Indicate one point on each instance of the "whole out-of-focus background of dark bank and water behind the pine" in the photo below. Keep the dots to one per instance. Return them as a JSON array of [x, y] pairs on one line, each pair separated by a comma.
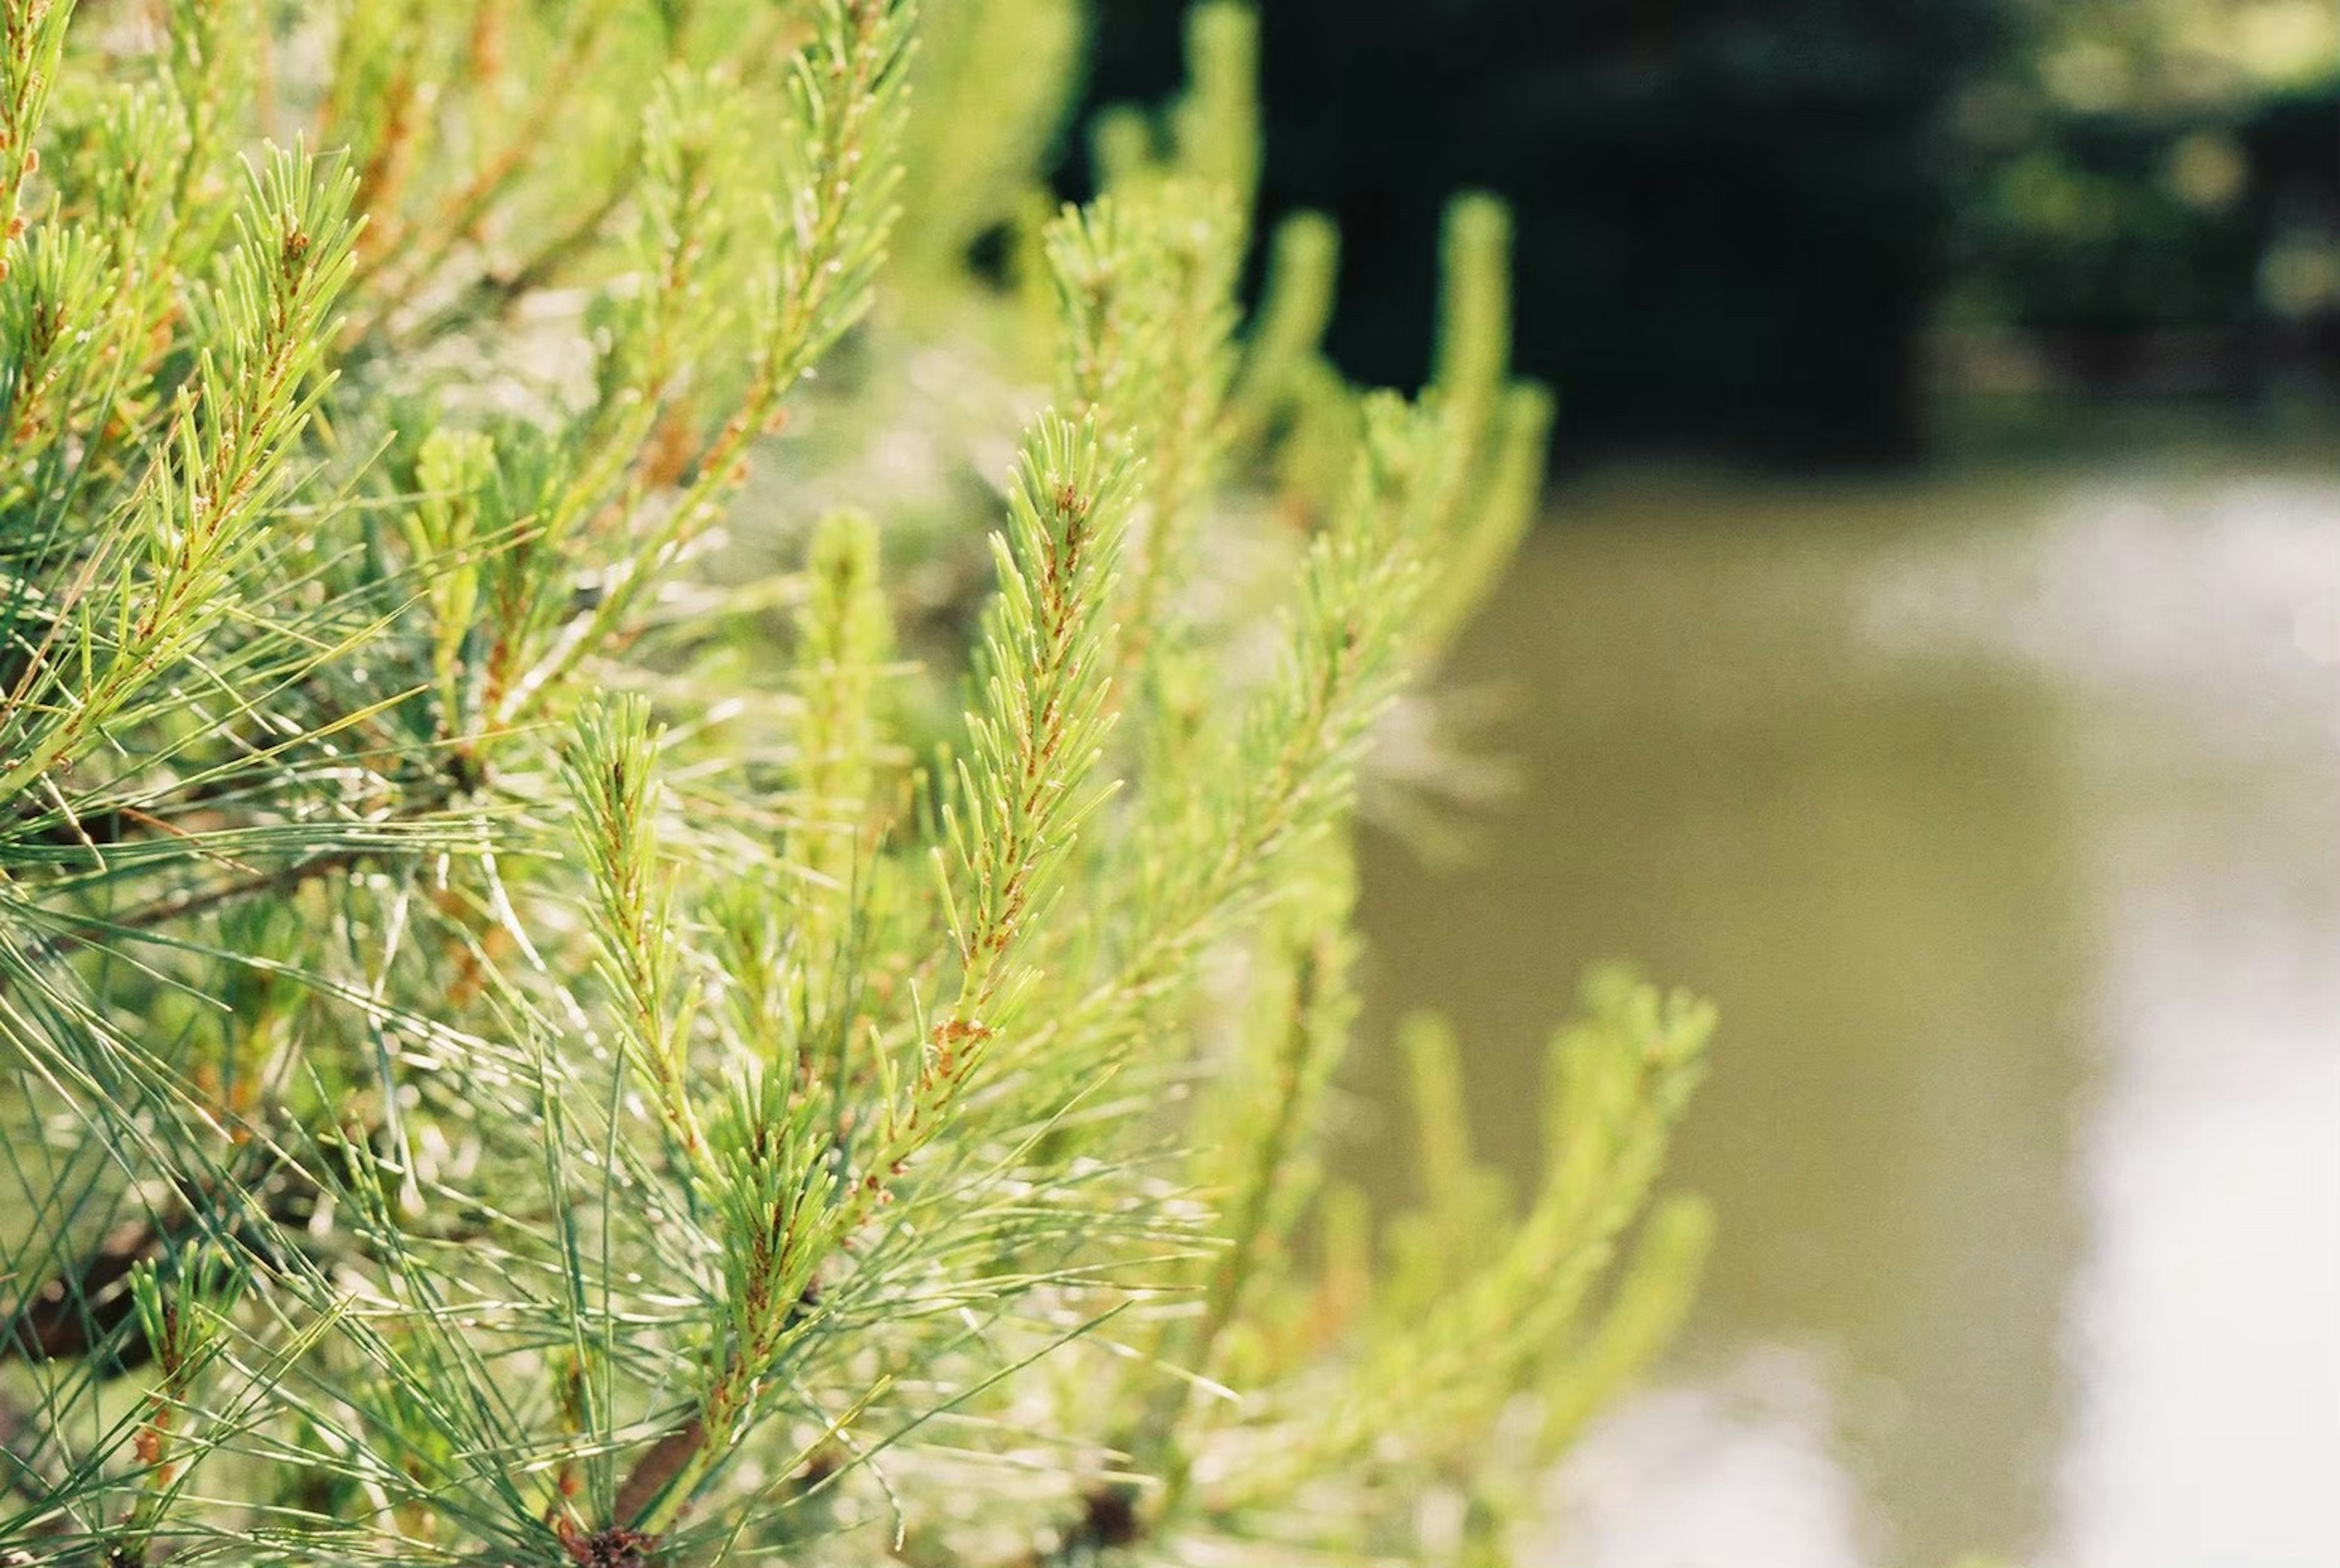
[[1932, 654]]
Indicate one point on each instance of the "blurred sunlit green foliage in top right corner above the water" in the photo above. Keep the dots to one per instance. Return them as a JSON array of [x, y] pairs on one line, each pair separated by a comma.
[[2152, 167]]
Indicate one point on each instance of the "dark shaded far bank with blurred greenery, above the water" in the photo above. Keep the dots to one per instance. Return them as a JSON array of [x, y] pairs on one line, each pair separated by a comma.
[[1742, 226]]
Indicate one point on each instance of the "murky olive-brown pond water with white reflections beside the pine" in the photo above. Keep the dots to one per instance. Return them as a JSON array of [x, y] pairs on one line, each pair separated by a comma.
[[2002, 818]]
